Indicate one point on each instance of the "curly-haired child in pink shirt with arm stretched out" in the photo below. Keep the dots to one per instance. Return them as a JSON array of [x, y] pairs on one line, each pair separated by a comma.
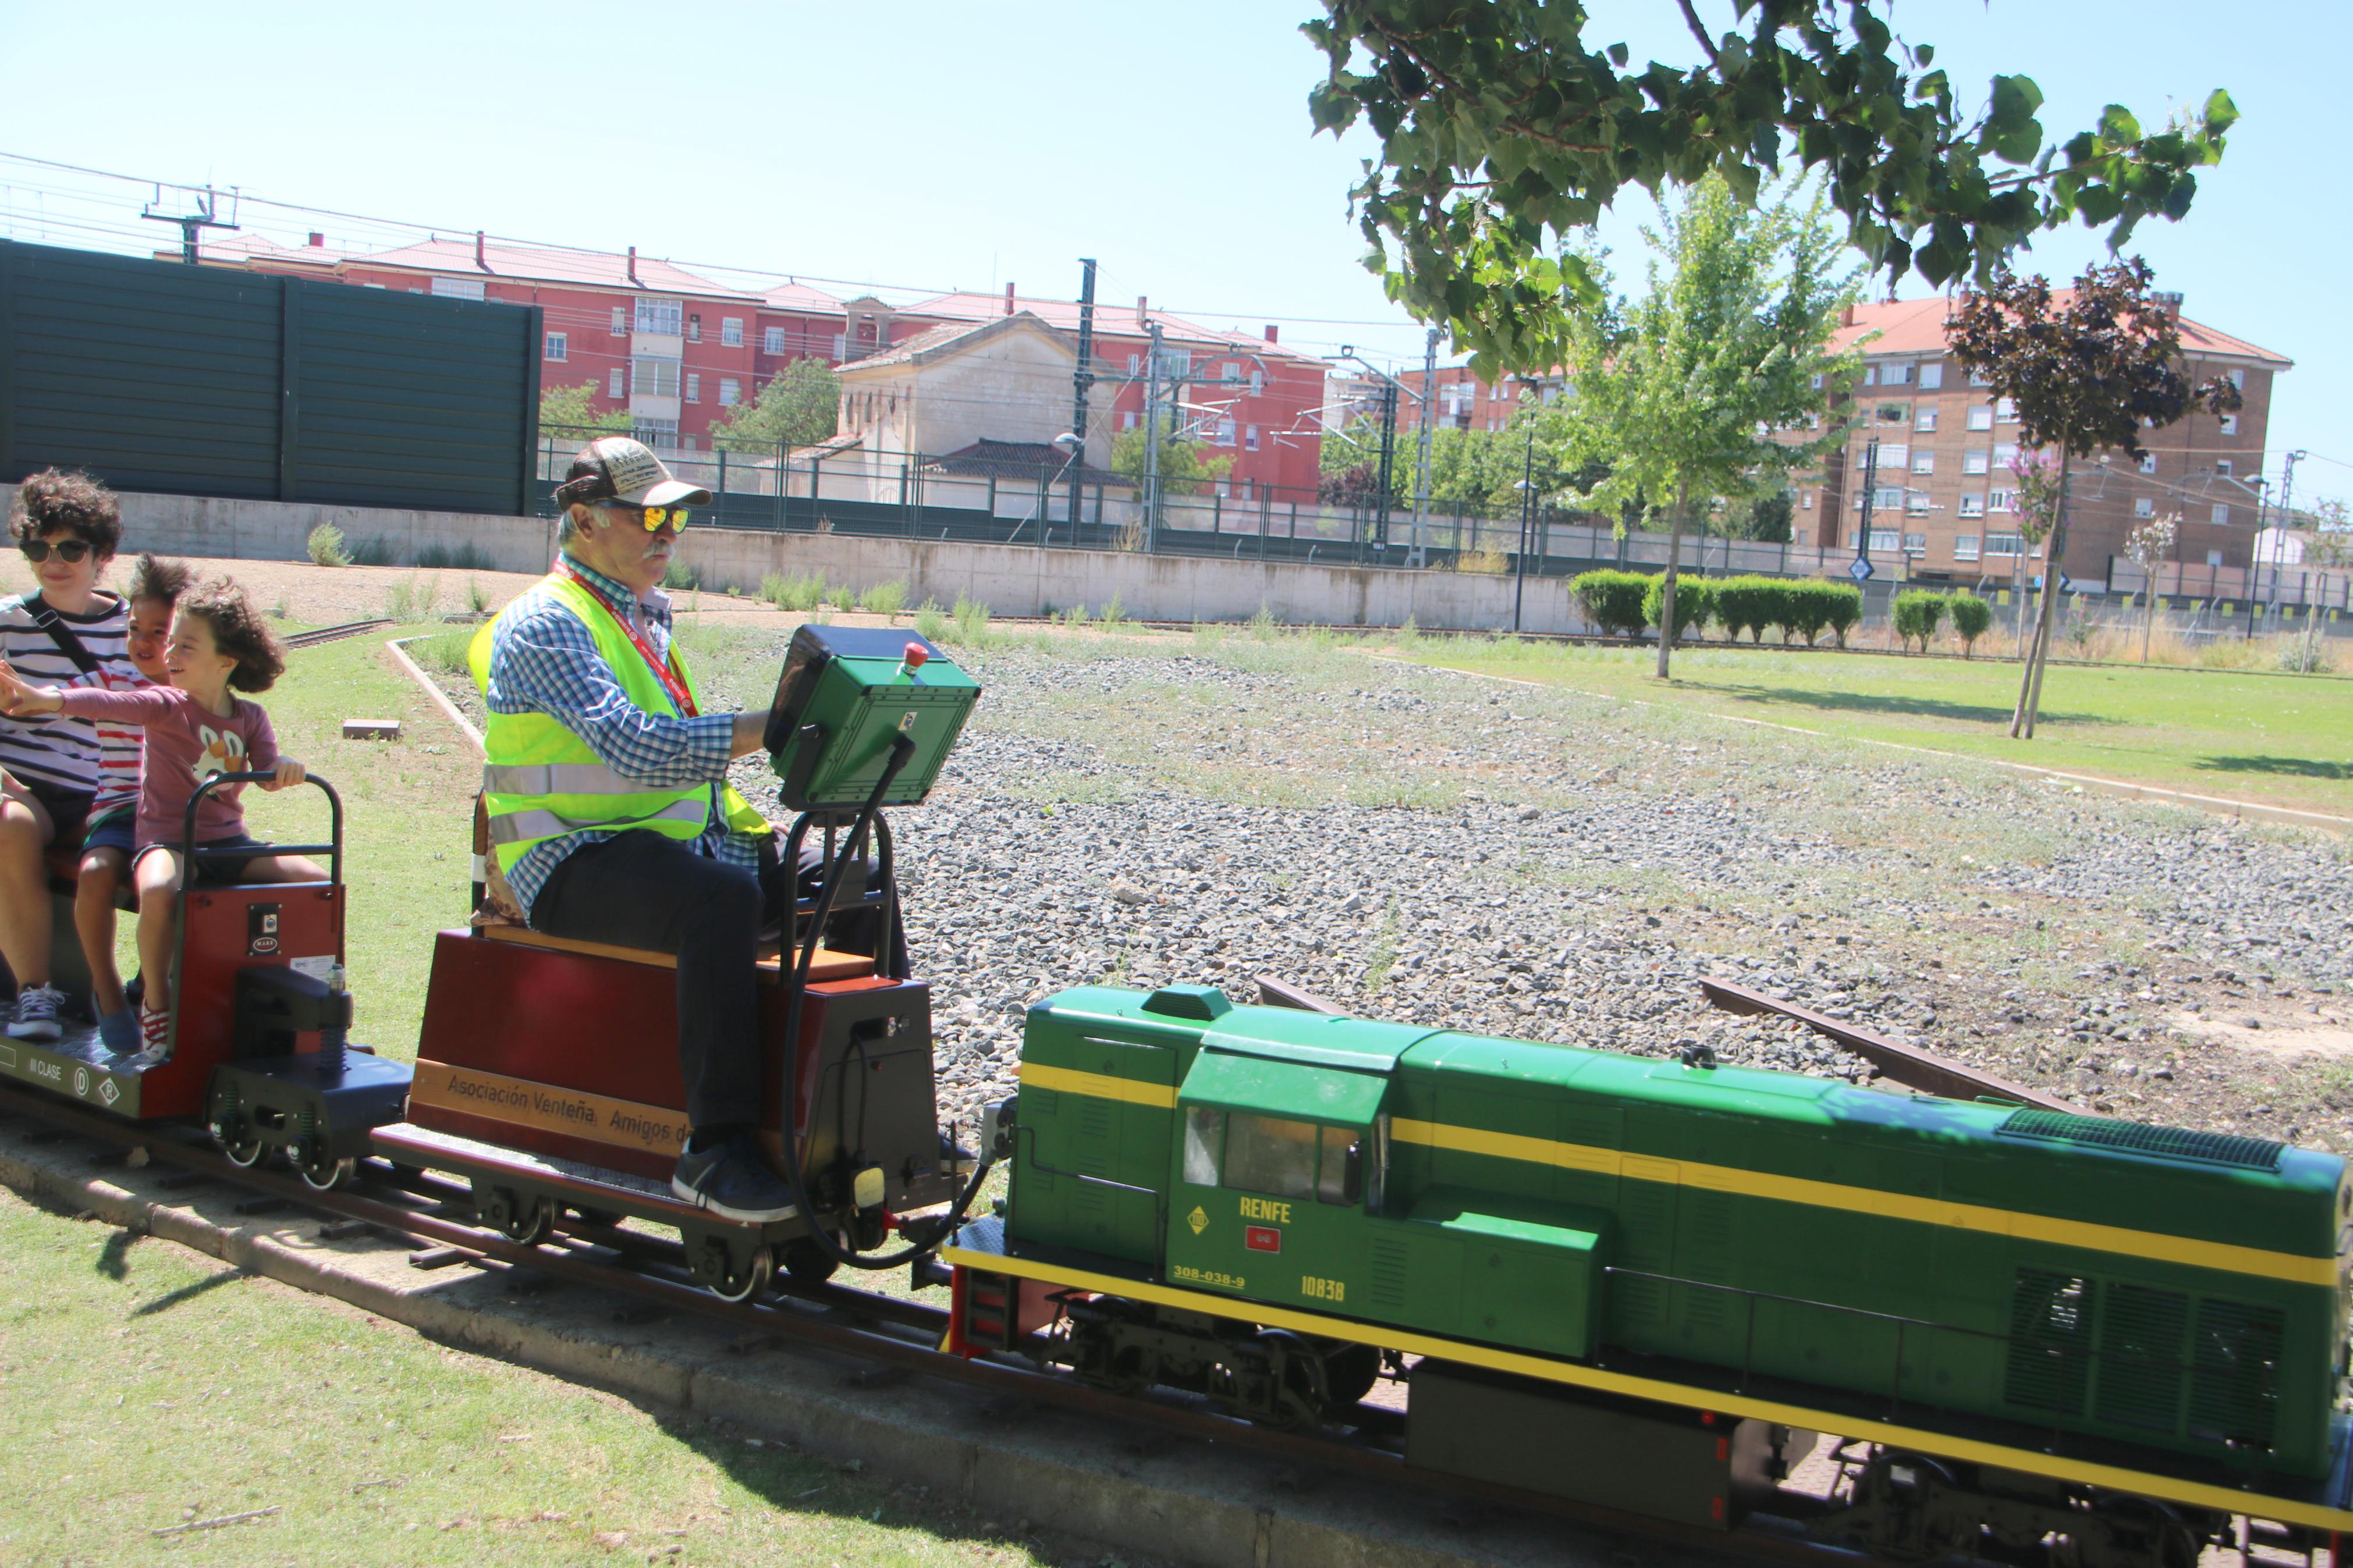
[[194, 730]]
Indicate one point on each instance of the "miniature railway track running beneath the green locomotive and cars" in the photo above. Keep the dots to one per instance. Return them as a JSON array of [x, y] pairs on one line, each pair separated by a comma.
[[851, 1322]]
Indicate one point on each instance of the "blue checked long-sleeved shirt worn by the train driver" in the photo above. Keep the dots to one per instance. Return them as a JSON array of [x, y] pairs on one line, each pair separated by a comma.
[[542, 659]]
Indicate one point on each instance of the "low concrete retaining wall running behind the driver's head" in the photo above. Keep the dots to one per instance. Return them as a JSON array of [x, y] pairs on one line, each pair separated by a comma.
[[1008, 579]]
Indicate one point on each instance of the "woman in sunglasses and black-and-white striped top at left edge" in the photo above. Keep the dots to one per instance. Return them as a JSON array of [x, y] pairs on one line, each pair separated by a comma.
[[67, 525]]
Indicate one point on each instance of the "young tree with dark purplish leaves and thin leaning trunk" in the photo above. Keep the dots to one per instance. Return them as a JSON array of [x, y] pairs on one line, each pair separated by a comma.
[[2086, 377]]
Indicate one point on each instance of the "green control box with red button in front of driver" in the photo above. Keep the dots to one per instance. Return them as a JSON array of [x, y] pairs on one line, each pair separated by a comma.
[[846, 699]]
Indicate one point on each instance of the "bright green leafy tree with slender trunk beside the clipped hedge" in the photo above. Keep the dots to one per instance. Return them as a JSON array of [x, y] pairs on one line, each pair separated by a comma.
[[1705, 387]]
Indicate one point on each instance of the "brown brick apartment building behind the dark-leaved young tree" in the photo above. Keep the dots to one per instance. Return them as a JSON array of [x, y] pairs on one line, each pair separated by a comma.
[[1945, 497]]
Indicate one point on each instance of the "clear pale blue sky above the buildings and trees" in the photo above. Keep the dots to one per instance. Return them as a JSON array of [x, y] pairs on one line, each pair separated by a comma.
[[954, 147]]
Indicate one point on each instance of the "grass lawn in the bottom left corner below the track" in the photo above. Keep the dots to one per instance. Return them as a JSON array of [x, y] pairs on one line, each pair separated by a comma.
[[152, 1388]]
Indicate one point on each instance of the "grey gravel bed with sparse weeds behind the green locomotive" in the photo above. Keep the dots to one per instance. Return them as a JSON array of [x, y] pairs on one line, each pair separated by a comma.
[[1552, 866]]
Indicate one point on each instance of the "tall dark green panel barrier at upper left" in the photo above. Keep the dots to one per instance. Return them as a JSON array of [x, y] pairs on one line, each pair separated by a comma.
[[215, 382]]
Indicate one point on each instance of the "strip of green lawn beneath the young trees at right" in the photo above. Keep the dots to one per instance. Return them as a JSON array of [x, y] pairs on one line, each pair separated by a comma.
[[2272, 739]]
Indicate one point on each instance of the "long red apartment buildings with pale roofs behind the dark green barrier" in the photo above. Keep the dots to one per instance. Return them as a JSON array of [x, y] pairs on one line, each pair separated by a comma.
[[674, 349]]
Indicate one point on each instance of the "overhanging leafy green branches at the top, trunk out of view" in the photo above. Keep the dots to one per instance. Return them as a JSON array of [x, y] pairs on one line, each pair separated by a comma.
[[1507, 130]]
